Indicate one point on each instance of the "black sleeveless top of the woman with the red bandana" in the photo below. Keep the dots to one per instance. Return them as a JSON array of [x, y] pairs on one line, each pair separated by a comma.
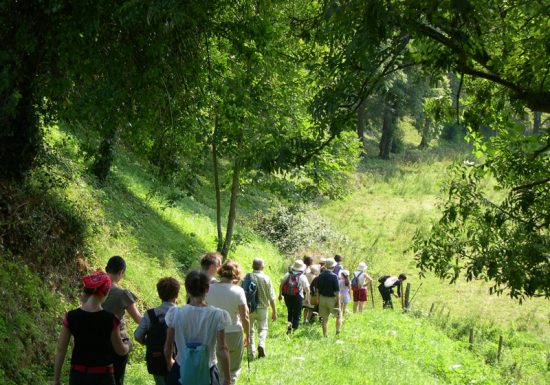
[[92, 336]]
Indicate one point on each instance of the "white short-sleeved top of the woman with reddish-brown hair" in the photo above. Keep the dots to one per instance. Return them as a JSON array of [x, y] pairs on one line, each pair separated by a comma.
[[228, 297]]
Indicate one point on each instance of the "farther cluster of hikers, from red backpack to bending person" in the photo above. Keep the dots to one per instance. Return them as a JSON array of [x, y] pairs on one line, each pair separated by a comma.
[[325, 289]]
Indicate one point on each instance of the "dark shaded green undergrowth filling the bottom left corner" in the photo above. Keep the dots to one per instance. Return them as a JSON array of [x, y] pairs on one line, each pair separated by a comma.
[[29, 321]]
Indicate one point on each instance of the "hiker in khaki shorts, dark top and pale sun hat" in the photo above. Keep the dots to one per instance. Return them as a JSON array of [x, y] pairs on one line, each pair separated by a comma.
[[329, 295]]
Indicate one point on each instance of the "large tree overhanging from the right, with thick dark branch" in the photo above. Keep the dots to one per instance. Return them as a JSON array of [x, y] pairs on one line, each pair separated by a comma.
[[499, 52]]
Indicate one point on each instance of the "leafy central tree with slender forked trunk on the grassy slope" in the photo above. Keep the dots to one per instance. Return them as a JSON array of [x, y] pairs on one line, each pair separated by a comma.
[[261, 90]]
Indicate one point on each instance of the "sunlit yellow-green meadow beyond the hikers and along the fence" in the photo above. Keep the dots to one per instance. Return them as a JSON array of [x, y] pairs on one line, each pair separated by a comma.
[[390, 202]]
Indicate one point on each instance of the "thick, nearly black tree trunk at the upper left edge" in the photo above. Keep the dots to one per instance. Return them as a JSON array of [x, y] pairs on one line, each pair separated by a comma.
[[20, 134]]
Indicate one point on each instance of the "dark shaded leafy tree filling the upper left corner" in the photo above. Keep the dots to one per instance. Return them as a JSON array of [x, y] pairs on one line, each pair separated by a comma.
[[116, 68]]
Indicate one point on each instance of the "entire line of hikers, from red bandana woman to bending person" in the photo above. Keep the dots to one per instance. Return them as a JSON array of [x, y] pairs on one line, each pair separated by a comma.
[[204, 341]]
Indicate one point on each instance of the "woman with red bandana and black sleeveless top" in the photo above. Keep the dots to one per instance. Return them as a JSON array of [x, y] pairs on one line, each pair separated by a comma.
[[96, 333]]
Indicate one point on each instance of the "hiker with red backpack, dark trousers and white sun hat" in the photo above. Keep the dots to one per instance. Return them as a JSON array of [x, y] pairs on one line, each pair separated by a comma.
[[295, 289]]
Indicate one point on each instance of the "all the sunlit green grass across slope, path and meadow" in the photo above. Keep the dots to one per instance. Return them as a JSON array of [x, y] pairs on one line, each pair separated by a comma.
[[134, 215]]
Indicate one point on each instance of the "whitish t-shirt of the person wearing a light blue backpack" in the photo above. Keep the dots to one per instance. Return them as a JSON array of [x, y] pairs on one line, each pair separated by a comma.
[[196, 324]]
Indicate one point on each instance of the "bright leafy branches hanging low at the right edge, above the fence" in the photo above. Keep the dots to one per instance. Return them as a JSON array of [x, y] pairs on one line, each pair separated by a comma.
[[505, 240]]
